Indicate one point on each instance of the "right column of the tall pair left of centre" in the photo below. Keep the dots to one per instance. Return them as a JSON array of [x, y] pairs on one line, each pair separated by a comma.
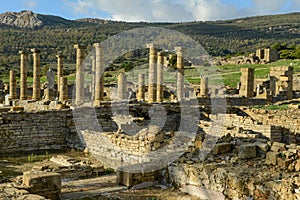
[[99, 78]]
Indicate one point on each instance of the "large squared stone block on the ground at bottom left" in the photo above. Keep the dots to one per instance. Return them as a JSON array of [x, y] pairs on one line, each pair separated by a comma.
[[46, 184]]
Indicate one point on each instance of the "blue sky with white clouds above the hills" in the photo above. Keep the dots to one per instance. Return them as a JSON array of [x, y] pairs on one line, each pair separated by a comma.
[[153, 10]]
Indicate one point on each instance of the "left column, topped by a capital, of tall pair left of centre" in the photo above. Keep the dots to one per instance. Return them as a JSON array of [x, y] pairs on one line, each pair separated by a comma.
[[79, 95]]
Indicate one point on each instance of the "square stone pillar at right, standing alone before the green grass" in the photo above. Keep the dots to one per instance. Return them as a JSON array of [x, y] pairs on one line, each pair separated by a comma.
[[247, 82]]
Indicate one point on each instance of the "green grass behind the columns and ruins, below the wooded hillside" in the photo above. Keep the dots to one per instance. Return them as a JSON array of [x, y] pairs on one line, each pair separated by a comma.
[[227, 75]]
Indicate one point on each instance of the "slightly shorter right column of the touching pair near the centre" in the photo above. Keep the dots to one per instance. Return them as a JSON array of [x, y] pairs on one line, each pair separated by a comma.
[[160, 75]]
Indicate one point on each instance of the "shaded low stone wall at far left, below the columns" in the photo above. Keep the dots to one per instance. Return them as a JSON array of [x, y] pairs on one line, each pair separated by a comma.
[[20, 131]]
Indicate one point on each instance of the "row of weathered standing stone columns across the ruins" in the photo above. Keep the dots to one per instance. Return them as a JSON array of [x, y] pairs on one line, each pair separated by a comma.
[[155, 84]]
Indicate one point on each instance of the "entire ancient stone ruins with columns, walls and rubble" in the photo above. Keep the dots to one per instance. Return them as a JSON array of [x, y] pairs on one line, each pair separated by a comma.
[[199, 138]]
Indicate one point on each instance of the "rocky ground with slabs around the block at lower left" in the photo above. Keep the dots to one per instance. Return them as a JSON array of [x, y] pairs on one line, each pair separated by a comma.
[[82, 178]]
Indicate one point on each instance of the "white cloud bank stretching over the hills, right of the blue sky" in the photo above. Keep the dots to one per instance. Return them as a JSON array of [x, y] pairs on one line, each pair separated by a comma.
[[177, 10]]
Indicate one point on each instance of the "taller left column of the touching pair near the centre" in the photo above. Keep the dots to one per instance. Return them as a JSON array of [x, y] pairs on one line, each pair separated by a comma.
[[152, 73]]
